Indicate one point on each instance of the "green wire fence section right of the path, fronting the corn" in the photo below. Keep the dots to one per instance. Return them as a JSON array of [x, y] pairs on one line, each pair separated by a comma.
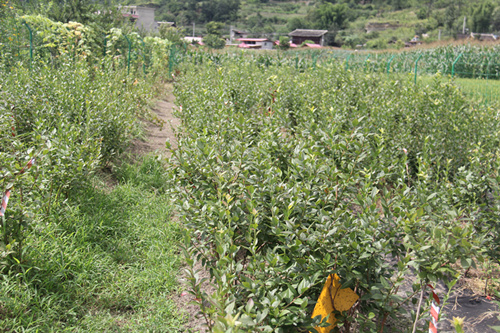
[[475, 69]]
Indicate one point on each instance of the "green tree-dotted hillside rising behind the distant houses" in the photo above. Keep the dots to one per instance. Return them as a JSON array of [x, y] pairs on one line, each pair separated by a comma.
[[348, 21]]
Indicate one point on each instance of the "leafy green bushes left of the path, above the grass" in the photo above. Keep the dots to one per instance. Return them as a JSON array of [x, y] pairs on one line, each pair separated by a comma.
[[72, 120]]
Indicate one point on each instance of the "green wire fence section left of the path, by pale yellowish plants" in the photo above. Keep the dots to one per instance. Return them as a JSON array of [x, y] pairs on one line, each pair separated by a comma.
[[24, 44]]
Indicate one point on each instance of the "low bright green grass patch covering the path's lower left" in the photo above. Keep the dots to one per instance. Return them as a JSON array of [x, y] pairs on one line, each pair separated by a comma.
[[103, 261]]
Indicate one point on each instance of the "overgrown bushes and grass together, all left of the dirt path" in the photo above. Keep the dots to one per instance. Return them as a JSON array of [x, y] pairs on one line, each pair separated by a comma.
[[77, 253]]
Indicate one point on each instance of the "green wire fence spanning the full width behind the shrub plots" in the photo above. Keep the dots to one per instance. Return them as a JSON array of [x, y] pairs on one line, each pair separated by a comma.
[[475, 69]]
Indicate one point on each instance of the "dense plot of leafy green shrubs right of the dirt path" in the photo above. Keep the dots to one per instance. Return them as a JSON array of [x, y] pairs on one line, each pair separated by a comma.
[[287, 177]]
